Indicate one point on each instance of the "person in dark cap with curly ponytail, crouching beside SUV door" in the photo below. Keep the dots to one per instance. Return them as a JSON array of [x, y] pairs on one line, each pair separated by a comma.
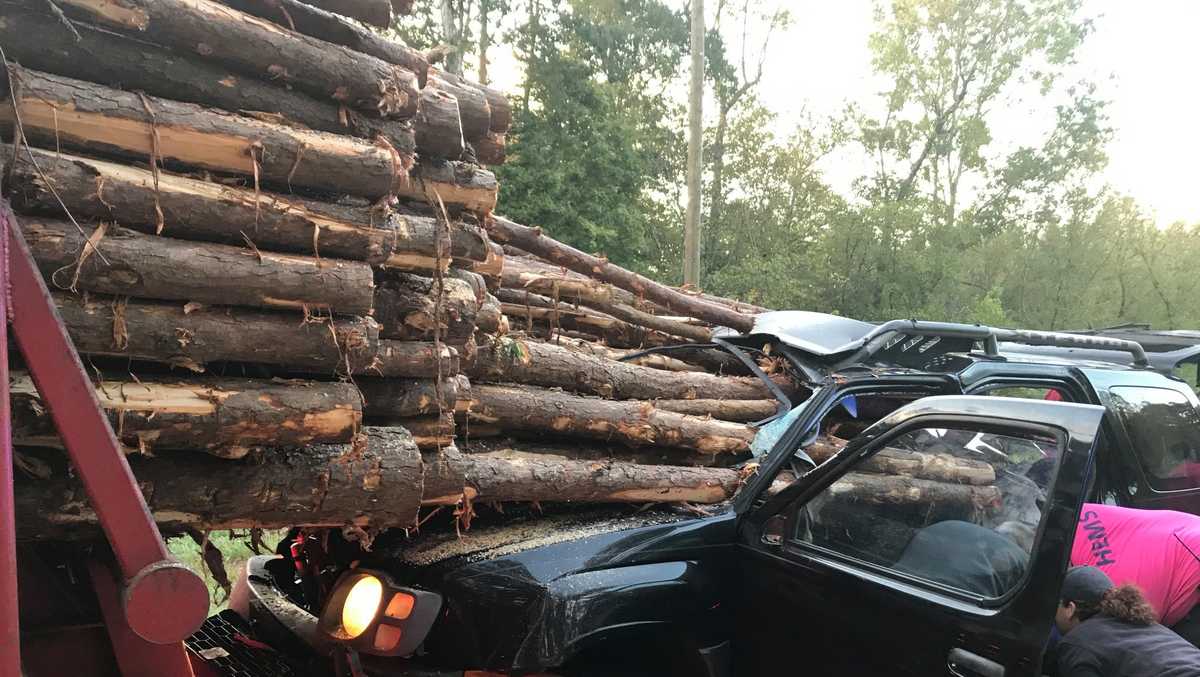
[[1111, 632]]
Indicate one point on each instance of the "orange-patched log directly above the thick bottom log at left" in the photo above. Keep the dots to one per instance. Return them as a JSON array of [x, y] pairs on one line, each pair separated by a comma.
[[224, 417]]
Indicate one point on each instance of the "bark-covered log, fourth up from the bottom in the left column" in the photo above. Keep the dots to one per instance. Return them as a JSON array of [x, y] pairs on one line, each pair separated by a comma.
[[163, 268]]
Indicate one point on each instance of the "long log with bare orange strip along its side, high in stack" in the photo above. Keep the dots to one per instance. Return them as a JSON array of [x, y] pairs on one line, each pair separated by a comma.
[[85, 116]]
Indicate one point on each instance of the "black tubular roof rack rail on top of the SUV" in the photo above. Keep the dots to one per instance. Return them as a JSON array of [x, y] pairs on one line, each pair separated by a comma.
[[878, 339]]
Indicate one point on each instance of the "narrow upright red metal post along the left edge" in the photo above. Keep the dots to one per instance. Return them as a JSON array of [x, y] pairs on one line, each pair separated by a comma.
[[10, 619]]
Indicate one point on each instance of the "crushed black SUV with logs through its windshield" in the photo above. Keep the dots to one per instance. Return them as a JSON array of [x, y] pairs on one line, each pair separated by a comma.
[[817, 566]]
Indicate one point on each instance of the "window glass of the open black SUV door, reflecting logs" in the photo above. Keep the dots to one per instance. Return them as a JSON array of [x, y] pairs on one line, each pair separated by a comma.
[[956, 507]]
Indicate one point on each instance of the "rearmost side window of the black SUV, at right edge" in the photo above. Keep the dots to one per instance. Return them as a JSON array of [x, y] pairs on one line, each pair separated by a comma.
[[1165, 429]]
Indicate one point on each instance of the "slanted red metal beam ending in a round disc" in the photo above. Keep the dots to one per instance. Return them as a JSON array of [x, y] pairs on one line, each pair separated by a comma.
[[163, 601]]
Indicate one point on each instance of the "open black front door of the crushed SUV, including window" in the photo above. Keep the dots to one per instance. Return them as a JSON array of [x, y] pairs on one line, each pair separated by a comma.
[[899, 556]]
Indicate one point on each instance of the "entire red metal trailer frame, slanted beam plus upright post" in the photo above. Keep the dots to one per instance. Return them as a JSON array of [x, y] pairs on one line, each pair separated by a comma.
[[152, 603]]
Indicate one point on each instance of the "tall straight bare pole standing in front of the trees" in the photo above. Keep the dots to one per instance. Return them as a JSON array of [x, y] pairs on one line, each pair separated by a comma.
[[695, 163]]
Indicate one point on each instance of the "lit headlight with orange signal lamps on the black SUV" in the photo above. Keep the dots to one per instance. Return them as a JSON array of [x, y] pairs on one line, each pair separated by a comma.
[[371, 614]]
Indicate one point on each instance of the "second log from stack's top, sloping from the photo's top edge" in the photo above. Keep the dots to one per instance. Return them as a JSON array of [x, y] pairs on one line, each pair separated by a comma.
[[323, 23]]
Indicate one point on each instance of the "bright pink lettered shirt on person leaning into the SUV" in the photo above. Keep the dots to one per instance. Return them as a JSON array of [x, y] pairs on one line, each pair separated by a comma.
[[1156, 550]]
